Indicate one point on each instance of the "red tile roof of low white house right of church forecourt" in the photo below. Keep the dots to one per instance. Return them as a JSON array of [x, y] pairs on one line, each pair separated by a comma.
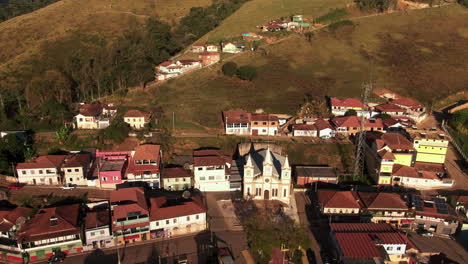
[[339, 199]]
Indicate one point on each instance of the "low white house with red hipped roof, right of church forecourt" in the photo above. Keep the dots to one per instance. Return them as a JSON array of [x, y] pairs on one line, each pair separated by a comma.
[[339, 204]]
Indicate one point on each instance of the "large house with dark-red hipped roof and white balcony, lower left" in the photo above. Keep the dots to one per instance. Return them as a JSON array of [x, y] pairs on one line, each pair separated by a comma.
[[51, 229]]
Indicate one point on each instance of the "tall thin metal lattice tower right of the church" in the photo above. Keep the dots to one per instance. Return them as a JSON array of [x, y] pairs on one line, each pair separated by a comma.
[[361, 136]]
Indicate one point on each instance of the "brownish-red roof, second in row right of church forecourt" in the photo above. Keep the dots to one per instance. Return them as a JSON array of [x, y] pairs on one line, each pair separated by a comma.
[[382, 201]]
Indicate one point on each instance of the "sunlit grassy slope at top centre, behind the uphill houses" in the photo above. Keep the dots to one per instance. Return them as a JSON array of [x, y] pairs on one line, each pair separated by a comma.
[[258, 12]]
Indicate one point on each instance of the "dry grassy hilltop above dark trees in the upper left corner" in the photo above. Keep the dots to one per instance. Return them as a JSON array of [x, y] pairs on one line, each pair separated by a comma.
[[21, 36]]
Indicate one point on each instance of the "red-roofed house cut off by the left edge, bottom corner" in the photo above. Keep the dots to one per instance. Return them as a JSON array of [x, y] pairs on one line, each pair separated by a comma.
[[11, 221]]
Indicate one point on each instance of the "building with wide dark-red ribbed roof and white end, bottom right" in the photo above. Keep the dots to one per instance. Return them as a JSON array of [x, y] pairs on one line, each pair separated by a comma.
[[368, 243]]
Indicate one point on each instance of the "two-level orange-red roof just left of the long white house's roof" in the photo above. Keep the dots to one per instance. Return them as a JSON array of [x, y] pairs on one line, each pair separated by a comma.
[[135, 195]]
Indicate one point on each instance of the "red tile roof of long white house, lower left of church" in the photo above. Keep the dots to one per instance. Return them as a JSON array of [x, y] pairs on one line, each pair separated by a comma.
[[160, 210]]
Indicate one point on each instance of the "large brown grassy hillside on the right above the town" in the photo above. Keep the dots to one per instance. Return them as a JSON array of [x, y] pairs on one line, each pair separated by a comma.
[[419, 54]]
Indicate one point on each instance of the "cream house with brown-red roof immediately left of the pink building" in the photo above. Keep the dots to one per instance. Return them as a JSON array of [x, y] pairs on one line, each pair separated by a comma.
[[76, 168]]
